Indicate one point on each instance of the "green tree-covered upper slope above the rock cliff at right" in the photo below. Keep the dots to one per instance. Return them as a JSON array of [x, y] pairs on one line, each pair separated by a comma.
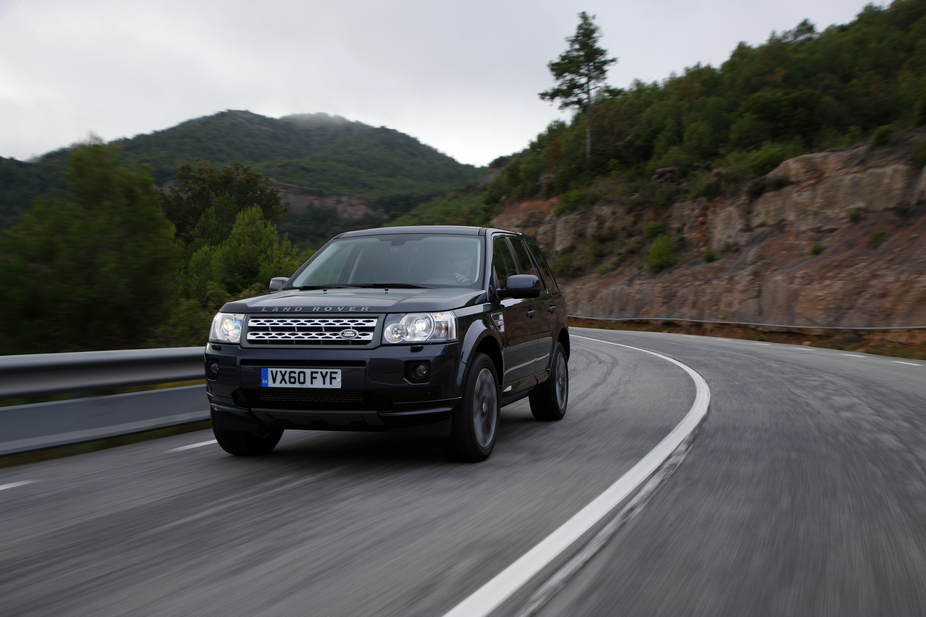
[[802, 91]]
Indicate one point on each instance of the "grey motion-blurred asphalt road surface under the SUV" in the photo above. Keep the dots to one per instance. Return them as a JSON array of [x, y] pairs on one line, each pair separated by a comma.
[[803, 493]]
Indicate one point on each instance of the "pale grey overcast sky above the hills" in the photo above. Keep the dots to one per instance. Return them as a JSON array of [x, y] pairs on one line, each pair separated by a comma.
[[461, 76]]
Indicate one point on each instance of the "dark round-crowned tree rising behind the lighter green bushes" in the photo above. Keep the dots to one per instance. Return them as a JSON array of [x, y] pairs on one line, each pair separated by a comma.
[[201, 187]]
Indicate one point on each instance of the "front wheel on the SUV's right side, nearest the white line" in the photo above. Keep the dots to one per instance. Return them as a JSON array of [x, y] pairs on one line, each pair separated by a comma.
[[475, 423]]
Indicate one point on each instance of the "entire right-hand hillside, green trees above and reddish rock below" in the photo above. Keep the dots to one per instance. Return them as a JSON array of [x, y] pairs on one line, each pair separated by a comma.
[[785, 186]]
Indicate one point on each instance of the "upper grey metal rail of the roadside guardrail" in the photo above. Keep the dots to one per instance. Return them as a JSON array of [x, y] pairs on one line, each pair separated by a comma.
[[40, 374]]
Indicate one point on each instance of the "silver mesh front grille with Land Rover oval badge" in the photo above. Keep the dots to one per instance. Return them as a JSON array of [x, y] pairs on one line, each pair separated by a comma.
[[312, 331]]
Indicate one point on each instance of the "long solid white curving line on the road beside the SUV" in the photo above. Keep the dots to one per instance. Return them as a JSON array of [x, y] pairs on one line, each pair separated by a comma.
[[488, 597]]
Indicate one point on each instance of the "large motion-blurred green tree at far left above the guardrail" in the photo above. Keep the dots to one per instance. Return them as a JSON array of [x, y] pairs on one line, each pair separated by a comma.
[[95, 271]]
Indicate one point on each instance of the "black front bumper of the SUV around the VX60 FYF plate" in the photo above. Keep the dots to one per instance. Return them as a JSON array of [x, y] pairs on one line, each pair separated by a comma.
[[377, 390]]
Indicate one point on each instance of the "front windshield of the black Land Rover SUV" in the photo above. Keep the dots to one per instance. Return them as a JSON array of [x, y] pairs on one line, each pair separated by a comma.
[[406, 260]]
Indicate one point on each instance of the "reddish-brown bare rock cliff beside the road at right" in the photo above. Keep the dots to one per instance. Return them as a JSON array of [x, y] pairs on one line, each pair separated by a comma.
[[835, 239]]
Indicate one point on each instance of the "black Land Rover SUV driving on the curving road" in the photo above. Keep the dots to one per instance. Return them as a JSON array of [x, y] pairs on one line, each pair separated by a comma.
[[415, 330]]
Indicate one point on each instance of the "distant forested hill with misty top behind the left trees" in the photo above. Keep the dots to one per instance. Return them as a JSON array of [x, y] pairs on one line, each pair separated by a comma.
[[313, 154]]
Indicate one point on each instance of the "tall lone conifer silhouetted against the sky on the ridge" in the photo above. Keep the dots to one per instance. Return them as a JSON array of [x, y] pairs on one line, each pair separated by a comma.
[[580, 72]]
